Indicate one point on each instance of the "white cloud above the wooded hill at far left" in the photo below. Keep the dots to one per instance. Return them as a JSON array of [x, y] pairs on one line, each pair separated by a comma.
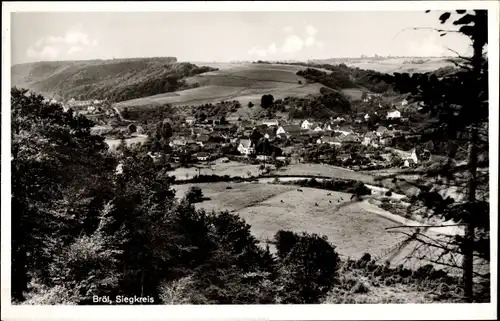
[[74, 41]]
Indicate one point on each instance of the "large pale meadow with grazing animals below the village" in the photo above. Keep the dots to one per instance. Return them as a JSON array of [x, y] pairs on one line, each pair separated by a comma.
[[269, 208]]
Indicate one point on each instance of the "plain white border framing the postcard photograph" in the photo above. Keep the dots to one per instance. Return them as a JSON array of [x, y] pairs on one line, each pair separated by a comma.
[[271, 312]]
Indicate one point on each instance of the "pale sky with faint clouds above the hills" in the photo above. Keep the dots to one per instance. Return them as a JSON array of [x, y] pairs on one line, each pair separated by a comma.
[[228, 36]]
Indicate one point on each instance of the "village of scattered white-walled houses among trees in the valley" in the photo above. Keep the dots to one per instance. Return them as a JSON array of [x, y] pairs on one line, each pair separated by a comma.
[[356, 140]]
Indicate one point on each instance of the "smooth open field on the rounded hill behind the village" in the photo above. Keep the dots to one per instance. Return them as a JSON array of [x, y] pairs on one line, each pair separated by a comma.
[[245, 83]]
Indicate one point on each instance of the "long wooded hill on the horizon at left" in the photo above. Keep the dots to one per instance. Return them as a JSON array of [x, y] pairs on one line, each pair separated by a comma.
[[114, 80]]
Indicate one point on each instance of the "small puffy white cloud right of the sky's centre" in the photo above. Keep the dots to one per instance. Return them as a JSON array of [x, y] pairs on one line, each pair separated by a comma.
[[292, 44]]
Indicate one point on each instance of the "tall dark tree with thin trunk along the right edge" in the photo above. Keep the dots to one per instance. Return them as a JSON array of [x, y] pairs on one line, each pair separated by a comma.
[[459, 103]]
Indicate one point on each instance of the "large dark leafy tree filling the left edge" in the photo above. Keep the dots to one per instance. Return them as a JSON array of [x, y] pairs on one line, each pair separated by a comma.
[[59, 182]]
